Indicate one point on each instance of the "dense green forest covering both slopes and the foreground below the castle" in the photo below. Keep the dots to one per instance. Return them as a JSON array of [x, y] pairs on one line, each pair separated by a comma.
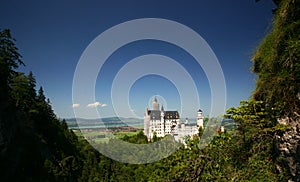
[[36, 146]]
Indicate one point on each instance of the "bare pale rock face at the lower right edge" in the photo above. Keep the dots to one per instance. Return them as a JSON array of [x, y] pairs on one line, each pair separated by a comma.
[[289, 146]]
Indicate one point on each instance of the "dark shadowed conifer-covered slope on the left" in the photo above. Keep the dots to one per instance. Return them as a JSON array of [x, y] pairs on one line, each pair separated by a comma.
[[34, 144]]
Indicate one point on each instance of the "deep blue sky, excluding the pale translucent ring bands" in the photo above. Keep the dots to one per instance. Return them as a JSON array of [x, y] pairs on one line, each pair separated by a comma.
[[52, 35]]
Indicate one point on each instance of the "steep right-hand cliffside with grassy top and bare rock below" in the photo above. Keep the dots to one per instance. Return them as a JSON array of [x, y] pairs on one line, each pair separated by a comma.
[[277, 64]]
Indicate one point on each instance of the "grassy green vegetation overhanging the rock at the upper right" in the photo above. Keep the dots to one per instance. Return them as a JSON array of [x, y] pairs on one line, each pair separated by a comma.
[[277, 61]]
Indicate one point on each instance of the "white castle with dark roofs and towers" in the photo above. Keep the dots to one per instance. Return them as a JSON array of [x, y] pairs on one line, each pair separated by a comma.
[[161, 123]]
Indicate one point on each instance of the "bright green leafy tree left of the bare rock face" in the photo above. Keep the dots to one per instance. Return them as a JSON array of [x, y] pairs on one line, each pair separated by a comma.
[[255, 142]]
